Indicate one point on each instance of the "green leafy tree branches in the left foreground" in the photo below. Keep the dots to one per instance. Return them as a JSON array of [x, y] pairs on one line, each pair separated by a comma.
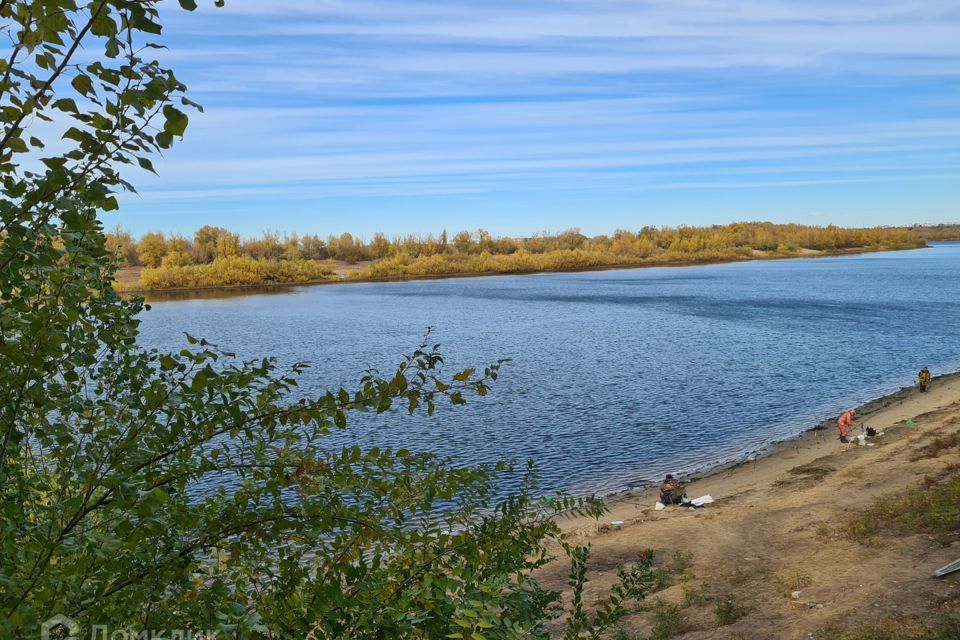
[[165, 493]]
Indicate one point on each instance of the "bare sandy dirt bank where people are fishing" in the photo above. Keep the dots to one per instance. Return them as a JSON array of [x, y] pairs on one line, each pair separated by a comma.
[[773, 532]]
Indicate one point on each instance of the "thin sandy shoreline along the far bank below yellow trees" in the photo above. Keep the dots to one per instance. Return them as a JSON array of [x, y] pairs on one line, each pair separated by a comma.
[[185, 293]]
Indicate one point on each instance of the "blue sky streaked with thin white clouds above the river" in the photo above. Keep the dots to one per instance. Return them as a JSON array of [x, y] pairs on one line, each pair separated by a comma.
[[518, 116]]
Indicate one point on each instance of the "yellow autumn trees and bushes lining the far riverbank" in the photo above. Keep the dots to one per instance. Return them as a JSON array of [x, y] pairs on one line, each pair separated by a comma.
[[218, 257]]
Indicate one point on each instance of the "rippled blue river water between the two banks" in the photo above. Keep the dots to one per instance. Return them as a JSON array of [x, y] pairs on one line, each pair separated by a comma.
[[616, 376]]
